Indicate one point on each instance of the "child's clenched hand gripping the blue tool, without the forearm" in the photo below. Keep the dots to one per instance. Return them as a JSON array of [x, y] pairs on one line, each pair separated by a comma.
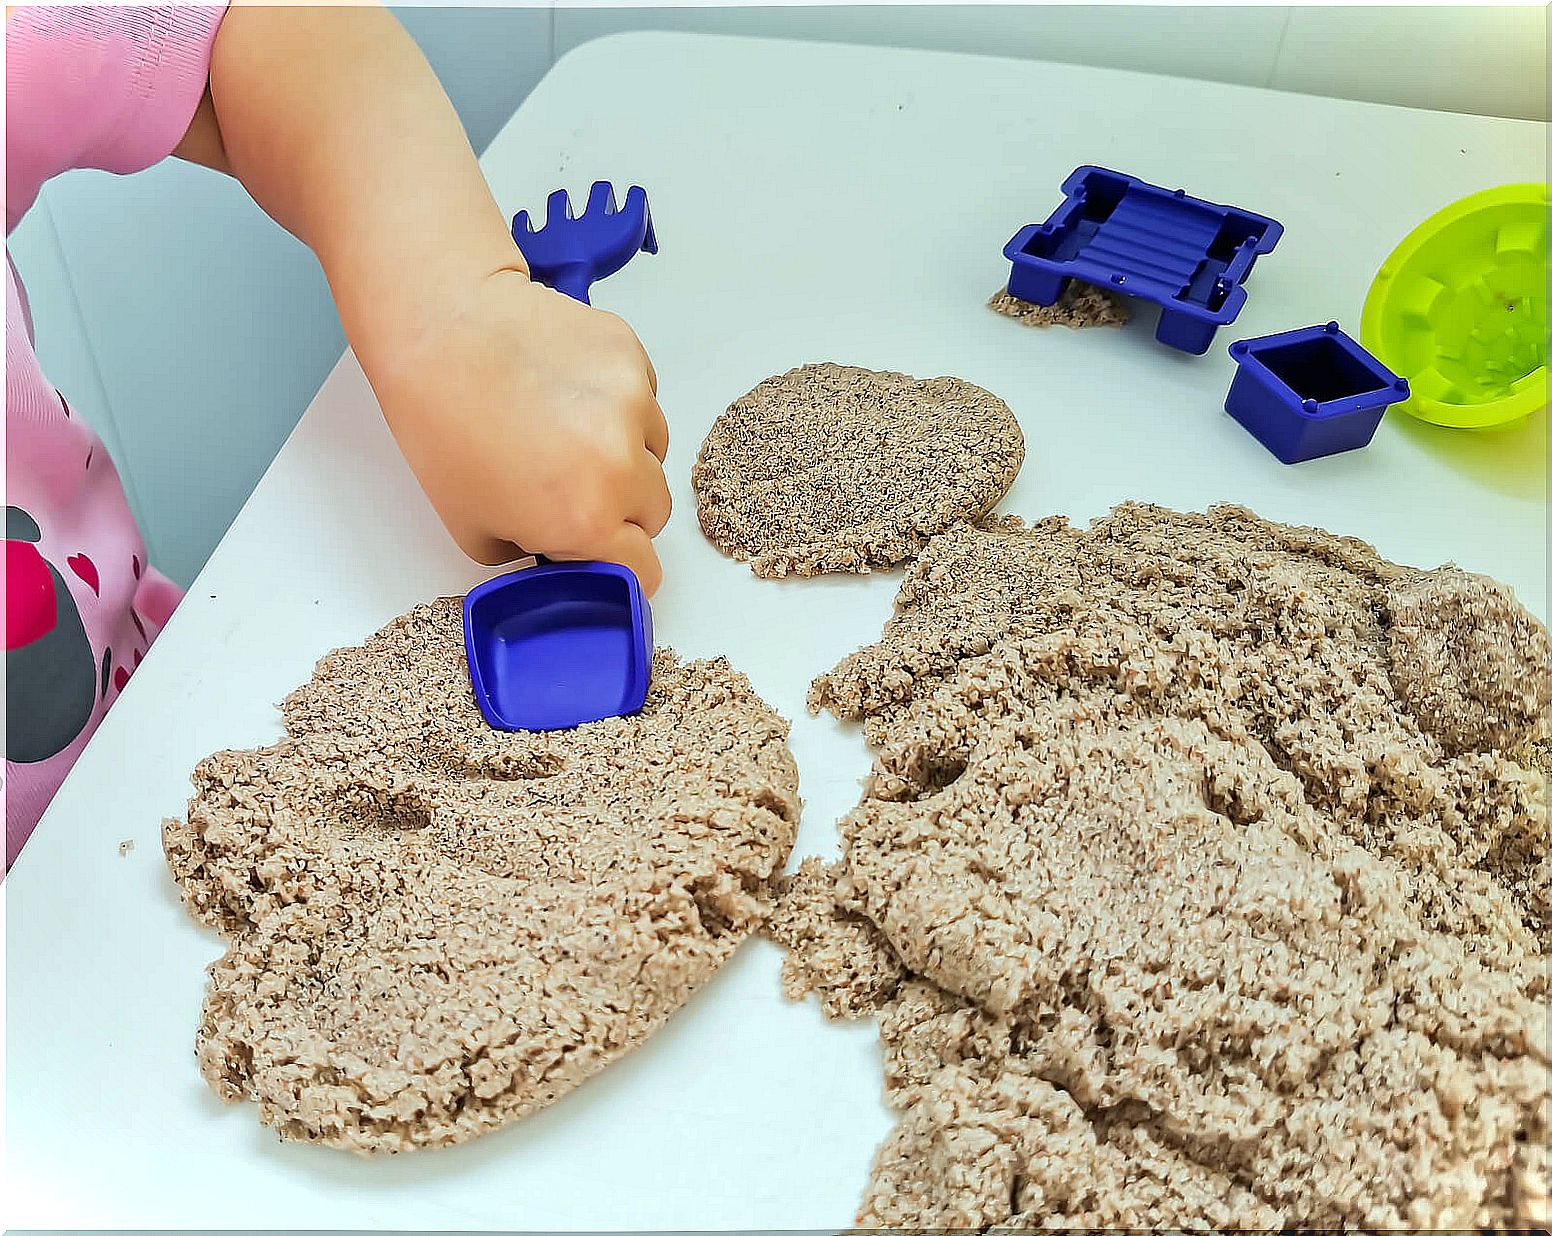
[[533, 426]]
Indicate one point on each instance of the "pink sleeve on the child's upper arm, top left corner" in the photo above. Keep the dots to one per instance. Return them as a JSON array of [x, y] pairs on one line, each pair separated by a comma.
[[100, 88]]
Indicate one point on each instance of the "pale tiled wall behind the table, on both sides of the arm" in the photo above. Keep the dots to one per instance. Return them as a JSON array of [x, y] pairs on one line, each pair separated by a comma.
[[193, 332]]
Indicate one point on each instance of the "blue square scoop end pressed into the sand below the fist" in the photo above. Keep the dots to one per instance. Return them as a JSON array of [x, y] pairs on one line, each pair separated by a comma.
[[559, 645]]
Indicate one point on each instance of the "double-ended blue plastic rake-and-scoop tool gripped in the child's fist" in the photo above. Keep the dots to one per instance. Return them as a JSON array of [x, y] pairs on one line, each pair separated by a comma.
[[563, 644]]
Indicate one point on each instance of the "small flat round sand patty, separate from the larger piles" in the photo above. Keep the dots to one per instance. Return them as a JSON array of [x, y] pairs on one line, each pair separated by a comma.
[[840, 470]]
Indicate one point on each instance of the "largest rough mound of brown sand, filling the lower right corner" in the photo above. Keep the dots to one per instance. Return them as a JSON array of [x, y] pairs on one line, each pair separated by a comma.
[[1202, 881]]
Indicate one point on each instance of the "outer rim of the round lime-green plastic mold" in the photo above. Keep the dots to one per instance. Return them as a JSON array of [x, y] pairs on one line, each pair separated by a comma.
[[1500, 412]]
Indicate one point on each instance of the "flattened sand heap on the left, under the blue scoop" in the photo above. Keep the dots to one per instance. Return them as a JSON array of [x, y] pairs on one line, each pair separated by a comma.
[[435, 928]]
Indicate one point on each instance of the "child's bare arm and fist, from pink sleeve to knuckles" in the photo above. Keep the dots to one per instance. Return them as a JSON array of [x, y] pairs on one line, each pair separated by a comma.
[[528, 418]]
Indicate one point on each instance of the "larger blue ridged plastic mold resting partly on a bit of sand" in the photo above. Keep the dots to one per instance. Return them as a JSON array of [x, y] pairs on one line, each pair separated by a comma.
[[1118, 232]]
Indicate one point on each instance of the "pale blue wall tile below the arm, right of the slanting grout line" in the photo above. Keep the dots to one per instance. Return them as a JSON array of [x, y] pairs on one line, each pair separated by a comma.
[[212, 330]]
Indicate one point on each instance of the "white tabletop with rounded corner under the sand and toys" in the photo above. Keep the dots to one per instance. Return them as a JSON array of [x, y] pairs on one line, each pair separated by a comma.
[[812, 204]]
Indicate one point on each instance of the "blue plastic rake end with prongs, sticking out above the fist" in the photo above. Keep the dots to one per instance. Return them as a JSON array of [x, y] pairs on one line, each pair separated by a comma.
[[572, 252]]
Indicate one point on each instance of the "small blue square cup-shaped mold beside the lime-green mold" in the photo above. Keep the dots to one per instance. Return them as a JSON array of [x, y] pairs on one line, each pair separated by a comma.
[[1311, 392]]
